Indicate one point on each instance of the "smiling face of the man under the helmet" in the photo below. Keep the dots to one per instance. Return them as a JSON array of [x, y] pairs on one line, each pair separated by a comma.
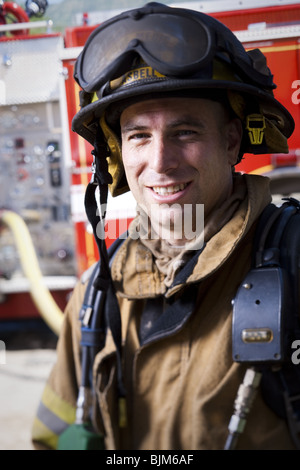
[[178, 153]]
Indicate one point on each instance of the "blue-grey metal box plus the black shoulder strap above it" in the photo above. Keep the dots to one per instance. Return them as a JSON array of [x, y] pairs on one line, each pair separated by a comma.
[[266, 301]]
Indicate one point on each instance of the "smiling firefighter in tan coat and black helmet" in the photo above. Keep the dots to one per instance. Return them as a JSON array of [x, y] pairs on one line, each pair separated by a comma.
[[170, 101]]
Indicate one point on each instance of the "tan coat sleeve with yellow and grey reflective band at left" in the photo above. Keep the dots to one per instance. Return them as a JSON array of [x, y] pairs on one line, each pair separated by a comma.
[[57, 407]]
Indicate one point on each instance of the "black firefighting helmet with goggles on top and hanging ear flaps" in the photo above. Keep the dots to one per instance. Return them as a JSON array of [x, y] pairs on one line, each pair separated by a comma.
[[159, 50]]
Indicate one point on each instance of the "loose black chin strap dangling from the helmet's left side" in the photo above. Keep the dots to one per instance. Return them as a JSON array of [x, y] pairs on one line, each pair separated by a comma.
[[96, 216]]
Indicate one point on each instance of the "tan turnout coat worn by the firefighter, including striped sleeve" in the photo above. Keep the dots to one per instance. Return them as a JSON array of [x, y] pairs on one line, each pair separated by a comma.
[[181, 385]]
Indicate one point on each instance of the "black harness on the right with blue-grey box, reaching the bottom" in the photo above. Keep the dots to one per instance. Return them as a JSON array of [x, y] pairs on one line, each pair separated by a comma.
[[266, 311]]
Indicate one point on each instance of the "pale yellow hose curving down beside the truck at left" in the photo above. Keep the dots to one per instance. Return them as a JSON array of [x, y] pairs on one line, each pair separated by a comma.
[[40, 294]]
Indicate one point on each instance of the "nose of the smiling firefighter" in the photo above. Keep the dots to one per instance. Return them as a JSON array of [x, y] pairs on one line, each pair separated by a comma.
[[163, 157]]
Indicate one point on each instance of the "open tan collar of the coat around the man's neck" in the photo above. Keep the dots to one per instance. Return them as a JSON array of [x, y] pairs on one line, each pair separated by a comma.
[[136, 275]]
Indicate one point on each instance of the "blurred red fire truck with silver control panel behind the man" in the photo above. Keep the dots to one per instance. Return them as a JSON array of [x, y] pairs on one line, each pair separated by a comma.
[[44, 167]]
